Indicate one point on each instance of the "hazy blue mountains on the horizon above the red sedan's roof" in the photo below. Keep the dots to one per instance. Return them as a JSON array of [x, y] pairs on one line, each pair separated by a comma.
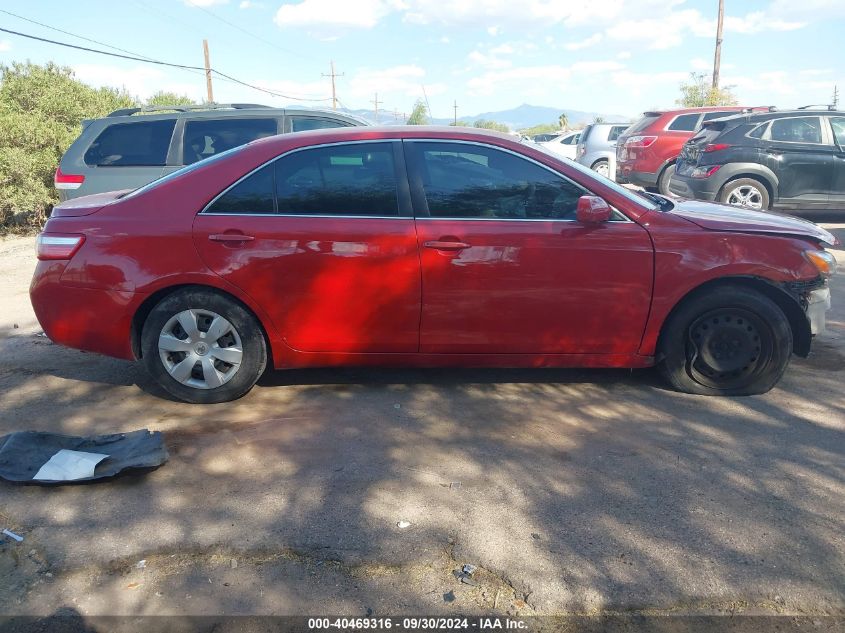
[[521, 117]]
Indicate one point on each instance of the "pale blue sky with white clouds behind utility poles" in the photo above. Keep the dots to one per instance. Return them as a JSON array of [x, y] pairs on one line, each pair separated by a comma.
[[609, 56]]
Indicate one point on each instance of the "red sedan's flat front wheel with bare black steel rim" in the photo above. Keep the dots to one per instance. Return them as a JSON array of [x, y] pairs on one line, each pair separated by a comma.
[[725, 341]]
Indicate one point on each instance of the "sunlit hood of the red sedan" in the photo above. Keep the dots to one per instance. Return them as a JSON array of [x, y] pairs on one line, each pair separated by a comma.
[[720, 217]]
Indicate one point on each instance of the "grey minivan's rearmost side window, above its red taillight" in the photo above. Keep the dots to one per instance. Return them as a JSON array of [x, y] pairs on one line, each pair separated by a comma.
[[144, 143]]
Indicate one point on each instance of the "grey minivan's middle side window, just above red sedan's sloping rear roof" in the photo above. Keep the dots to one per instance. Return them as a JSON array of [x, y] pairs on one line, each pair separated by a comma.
[[207, 137]]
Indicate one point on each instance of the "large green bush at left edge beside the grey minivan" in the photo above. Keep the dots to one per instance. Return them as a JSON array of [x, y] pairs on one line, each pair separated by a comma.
[[41, 113]]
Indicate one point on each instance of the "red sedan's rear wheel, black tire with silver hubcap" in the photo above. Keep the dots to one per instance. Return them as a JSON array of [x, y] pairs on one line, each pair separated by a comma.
[[224, 368]]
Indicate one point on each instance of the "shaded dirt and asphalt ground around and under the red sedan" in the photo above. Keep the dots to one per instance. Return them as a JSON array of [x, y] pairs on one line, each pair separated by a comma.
[[571, 491]]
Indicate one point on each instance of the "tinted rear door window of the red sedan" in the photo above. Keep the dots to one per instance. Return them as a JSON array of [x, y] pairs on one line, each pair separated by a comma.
[[355, 179]]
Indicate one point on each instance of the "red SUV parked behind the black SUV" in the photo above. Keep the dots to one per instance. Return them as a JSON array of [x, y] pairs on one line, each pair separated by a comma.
[[646, 153]]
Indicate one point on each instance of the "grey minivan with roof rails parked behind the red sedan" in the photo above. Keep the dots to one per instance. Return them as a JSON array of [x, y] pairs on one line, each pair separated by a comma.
[[124, 151]]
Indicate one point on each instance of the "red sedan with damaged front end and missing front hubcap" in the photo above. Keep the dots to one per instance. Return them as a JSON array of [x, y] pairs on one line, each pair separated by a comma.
[[425, 247]]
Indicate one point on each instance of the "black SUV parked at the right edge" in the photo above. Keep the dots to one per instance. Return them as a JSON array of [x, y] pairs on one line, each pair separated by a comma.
[[791, 159]]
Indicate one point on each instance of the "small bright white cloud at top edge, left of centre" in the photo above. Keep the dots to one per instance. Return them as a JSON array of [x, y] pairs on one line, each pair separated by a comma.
[[334, 13]]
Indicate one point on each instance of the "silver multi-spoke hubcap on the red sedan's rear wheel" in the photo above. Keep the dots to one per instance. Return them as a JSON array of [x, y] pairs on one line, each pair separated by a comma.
[[200, 349]]
